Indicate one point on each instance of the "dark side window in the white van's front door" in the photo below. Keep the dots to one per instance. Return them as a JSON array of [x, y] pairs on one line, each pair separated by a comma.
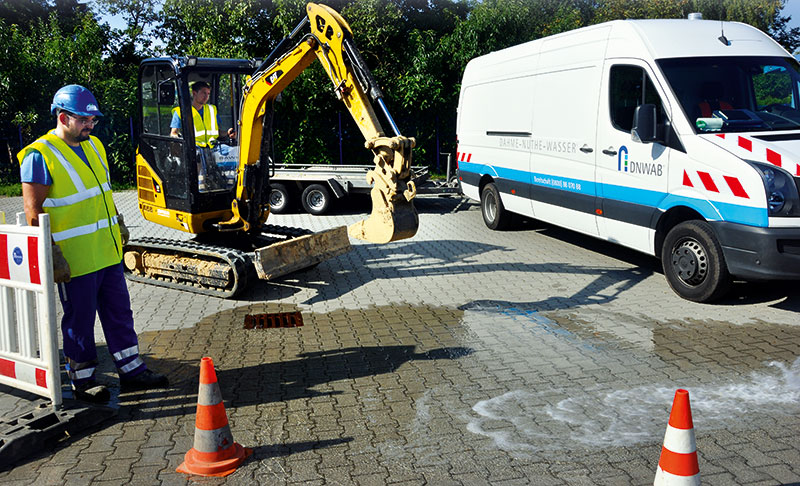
[[630, 87]]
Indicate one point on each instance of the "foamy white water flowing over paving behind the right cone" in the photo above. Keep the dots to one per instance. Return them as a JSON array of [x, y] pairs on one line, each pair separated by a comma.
[[524, 421]]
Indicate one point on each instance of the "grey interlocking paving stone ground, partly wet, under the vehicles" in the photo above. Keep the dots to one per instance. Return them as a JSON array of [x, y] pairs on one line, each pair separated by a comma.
[[461, 356]]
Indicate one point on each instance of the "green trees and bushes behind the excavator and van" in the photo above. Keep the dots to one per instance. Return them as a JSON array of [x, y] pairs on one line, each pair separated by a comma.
[[417, 50]]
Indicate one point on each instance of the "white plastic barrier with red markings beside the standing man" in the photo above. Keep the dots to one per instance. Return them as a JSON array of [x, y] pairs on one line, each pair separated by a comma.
[[28, 339]]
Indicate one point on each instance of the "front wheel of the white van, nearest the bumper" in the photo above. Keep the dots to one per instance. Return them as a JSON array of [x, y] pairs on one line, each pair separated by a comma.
[[693, 262]]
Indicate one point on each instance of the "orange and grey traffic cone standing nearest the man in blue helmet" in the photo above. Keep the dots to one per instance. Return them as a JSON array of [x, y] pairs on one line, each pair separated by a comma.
[[214, 452]]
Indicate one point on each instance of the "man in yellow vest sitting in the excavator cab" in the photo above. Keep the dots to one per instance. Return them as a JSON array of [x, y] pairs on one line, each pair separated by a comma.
[[206, 128]]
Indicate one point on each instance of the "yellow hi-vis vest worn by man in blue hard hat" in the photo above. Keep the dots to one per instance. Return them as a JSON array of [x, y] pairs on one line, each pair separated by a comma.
[[83, 217]]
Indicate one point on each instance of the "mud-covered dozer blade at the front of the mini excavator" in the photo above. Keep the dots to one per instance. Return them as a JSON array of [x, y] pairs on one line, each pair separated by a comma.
[[282, 258]]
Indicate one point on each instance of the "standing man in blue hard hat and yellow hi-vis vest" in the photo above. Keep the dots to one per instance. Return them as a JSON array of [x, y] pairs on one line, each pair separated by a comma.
[[65, 174]]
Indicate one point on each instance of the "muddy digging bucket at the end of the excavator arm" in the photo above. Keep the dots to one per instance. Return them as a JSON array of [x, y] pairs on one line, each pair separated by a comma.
[[393, 215]]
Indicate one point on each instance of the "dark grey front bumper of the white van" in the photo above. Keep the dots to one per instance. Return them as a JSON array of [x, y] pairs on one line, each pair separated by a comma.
[[754, 253]]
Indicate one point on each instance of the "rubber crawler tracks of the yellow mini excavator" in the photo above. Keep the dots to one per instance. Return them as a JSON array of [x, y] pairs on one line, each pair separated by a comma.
[[208, 268]]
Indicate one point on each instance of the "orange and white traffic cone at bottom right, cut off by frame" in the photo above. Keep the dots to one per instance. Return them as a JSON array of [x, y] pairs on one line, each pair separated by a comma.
[[678, 462]]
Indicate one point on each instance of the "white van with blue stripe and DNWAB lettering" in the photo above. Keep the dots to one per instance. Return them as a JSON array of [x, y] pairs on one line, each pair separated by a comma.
[[677, 138]]
